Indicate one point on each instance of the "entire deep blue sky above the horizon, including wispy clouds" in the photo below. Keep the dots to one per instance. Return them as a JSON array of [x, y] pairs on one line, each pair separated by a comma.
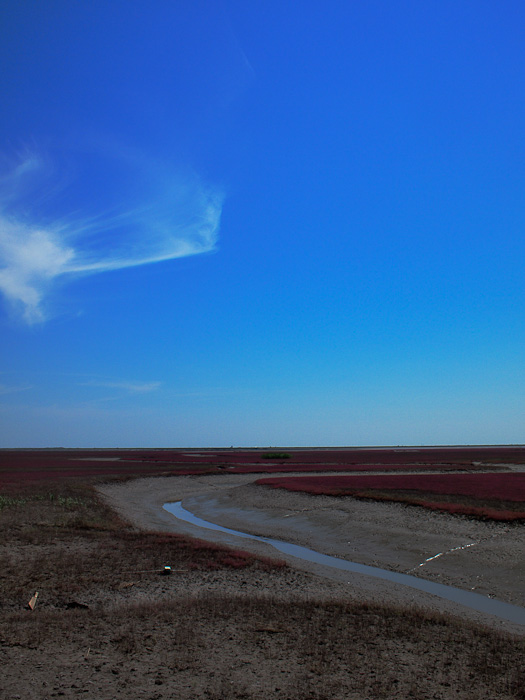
[[262, 223]]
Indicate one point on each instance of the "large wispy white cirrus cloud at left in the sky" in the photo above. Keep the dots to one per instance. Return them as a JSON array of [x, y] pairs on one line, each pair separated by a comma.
[[178, 216]]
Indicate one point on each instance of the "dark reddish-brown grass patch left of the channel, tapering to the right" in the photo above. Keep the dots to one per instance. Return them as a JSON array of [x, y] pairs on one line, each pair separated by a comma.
[[62, 539]]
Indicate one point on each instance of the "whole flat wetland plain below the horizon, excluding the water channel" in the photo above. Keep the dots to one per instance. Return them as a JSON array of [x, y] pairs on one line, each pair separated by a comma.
[[86, 529]]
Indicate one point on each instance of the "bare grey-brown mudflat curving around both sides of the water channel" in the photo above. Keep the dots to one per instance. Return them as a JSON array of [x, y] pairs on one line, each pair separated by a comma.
[[390, 536]]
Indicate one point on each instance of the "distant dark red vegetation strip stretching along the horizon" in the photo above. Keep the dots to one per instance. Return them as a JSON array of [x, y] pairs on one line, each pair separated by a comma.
[[36, 465]]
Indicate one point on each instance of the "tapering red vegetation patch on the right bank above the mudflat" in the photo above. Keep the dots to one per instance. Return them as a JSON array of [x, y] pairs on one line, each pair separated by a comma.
[[498, 496]]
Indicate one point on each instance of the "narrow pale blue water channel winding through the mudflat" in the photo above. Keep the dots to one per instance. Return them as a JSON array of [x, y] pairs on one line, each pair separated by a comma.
[[475, 601]]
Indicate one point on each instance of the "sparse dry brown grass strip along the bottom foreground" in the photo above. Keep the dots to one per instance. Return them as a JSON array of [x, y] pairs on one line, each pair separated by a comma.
[[224, 647]]
